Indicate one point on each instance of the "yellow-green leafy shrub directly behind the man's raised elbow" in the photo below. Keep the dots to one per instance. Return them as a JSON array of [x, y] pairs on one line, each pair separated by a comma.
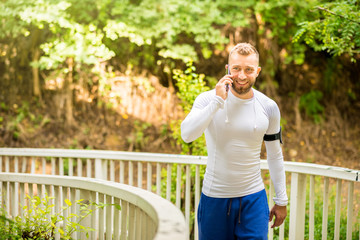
[[190, 85]]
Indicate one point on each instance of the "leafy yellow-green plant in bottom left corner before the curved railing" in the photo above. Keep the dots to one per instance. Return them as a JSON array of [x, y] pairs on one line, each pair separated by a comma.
[[40, 221]]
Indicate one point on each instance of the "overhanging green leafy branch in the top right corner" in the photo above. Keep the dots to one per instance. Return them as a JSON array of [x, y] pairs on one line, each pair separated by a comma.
[[334, 27]]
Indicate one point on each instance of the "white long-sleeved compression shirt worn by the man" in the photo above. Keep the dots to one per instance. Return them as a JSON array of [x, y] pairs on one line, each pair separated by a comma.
[[234, 131]]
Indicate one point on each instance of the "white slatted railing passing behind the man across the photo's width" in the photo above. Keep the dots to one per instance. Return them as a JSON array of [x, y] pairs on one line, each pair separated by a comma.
[[163, 174]]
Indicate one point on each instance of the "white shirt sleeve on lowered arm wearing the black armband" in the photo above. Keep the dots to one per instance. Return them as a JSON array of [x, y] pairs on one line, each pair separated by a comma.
[[275, 158]]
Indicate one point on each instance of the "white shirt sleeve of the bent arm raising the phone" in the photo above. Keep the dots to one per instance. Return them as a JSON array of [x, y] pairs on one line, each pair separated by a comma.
[[200, 116]]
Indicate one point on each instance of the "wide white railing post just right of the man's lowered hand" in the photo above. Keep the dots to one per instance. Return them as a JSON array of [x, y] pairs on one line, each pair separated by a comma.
[[297, 206]]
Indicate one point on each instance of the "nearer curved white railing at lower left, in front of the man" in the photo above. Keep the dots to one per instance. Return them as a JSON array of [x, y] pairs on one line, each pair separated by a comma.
[[140, 214]]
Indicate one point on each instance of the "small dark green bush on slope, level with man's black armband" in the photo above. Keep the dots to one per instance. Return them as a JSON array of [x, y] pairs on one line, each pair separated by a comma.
[[310, 102]]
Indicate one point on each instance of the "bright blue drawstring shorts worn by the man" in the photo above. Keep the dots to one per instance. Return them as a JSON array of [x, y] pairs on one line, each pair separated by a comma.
[[234, 218]]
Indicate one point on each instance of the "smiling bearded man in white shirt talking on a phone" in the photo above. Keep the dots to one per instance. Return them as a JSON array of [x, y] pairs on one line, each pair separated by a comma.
[[236, 119]]
